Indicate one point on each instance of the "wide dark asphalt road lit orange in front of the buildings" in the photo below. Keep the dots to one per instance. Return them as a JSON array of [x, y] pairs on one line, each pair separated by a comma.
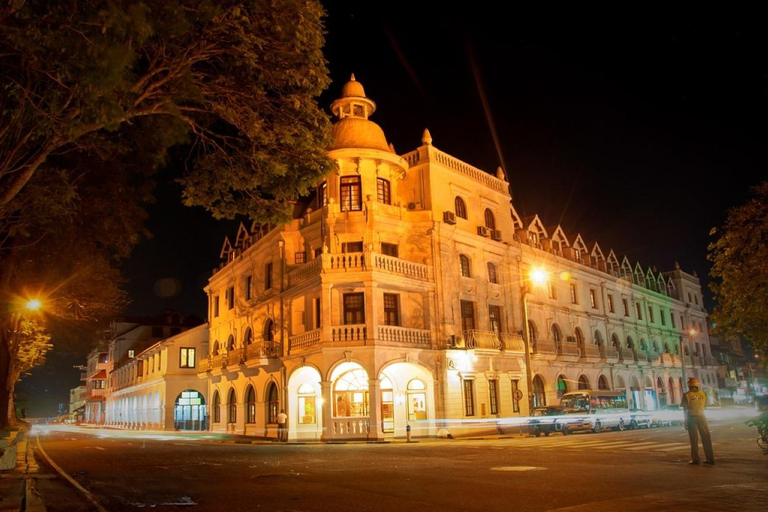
[[607, 471]]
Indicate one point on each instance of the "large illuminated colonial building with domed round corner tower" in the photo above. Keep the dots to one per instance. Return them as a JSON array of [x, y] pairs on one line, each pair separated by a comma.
[[399, 299]]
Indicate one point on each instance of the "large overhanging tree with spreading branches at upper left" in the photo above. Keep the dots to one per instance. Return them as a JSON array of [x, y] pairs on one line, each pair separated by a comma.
[[95, 97]]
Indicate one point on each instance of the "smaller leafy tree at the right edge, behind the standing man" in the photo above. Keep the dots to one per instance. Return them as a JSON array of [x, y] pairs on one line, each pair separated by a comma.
[[739, 271]]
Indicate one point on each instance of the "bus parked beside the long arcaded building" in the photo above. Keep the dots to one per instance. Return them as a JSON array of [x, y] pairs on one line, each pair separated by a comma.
[[604, 408]]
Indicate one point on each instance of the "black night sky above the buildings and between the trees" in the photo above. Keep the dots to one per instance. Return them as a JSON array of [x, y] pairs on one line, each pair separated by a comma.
[[638, 130]]
